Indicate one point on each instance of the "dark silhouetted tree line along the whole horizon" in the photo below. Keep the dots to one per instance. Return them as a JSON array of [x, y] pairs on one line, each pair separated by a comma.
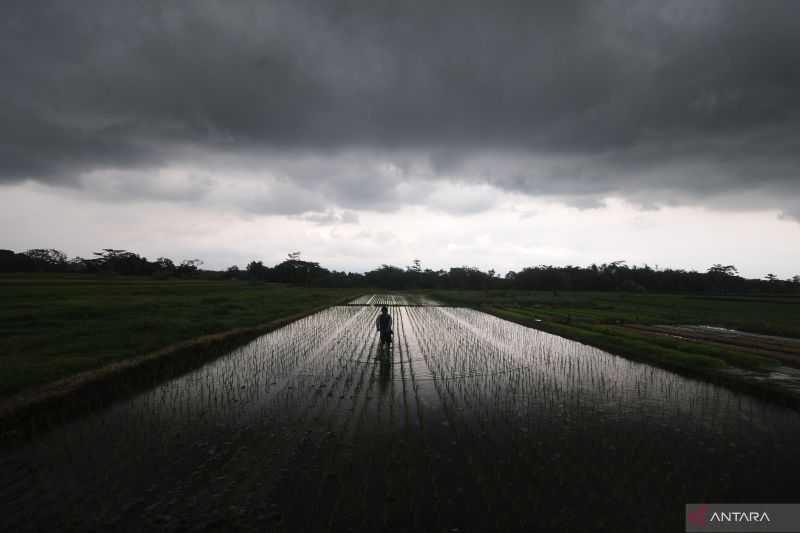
[[617, 275]]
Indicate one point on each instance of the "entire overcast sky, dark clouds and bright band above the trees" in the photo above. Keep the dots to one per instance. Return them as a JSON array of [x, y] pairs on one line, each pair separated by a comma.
[[495, 134]]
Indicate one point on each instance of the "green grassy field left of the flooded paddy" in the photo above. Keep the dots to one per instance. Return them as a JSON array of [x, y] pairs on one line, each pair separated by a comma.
[[55, 325]]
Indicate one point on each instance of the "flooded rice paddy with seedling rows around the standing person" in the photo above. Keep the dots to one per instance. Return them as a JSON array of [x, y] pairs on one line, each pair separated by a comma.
[[471, 423]]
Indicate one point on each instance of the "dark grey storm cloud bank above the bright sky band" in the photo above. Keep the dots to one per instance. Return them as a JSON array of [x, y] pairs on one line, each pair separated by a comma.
[[660, 101]]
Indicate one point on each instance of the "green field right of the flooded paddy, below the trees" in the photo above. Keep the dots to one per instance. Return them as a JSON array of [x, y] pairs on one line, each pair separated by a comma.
[[600, 319]]
